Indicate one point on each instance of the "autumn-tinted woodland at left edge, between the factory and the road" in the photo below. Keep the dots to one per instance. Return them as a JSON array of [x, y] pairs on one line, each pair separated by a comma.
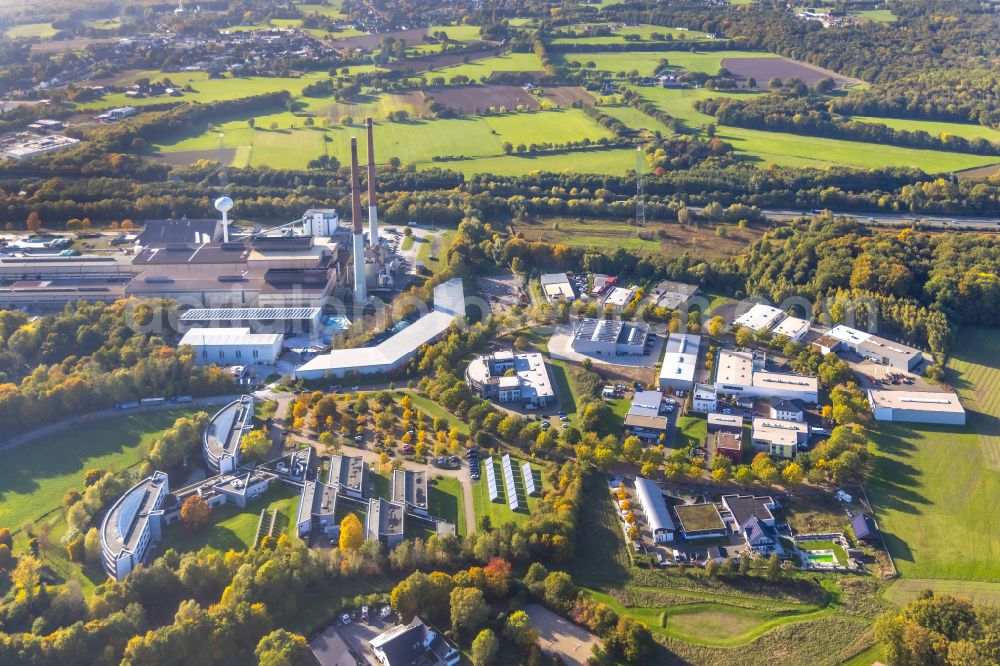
[[90, 357]]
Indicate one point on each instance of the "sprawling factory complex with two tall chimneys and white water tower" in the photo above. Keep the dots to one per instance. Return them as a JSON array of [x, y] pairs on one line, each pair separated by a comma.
[[202, 263]]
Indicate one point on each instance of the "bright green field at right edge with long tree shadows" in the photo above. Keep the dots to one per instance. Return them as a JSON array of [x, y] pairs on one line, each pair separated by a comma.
[[933, 487]]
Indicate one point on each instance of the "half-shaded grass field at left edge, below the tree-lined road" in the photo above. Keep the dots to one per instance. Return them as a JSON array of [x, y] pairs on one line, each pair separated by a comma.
[[34, 477]]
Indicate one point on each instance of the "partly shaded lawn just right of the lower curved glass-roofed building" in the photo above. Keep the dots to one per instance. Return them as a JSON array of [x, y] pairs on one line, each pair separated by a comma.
[[234, 528]]
